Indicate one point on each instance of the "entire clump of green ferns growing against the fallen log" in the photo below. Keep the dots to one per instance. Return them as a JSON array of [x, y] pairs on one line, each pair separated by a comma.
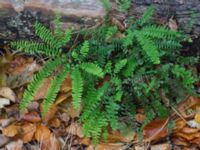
[[111, 74]]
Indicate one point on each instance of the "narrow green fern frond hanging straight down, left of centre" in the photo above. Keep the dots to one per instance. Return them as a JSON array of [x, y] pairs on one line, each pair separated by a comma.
[[77, 88]]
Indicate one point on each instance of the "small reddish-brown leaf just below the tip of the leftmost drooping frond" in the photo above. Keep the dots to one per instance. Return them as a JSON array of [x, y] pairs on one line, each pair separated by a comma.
[[32, 117]]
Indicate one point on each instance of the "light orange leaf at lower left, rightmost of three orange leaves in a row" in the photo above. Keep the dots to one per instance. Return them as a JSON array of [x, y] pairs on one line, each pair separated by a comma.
[[42, 133]]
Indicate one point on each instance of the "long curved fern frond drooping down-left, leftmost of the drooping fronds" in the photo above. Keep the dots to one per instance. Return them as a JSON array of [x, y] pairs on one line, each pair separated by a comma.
[[37, 82]]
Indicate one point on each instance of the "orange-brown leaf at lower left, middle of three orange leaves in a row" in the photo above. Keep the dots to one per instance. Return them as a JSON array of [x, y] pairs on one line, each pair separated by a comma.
[[28, 132]]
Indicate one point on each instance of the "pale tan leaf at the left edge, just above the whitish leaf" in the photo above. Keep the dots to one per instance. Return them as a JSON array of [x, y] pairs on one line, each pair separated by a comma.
[[8, 93]]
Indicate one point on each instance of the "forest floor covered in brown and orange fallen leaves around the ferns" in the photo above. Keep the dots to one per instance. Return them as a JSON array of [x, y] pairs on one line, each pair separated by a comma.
[[60, 128]]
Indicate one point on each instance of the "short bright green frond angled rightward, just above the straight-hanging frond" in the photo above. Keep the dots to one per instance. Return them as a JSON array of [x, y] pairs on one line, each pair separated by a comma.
[[92, 69]]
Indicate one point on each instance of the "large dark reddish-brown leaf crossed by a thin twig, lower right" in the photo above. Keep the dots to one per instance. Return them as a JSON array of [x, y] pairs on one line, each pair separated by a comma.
[[155, 130]]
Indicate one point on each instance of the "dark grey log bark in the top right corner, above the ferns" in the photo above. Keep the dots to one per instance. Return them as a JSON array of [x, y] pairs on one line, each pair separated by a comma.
[[185, 12]]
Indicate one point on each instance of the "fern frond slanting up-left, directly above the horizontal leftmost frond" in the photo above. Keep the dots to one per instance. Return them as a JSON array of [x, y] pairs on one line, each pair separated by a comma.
[[46, 35]]
